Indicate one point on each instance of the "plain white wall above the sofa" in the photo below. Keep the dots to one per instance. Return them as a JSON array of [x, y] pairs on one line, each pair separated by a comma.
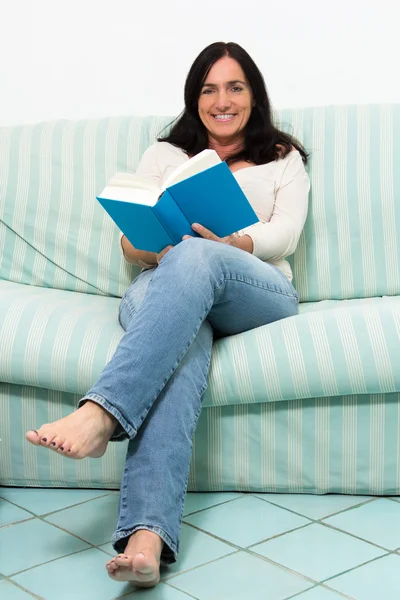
[[89, 58]]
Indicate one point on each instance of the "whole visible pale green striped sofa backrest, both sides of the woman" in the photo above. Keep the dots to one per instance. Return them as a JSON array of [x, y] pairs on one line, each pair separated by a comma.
[[54, 233]]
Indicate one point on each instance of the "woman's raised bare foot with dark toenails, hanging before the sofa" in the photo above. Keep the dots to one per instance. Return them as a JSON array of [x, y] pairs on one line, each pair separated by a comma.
[[85, 432]]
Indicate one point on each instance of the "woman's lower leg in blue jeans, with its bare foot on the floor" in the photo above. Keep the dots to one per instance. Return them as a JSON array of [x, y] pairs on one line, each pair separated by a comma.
[[156, 471]]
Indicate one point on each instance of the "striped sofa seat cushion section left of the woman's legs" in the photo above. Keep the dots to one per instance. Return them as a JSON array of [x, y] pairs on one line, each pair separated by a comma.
[[55, 339]]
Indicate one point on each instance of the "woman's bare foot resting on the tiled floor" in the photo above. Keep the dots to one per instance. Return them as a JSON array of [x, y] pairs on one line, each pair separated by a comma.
[[140, 562]]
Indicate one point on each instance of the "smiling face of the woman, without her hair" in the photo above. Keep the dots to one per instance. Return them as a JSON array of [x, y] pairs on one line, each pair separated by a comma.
[[225, 101]]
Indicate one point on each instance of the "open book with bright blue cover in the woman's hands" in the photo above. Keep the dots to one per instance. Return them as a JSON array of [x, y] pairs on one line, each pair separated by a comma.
[[202, 190]]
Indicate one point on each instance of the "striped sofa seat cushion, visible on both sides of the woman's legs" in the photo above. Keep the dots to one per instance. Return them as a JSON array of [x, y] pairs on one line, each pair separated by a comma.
[[62, 340]]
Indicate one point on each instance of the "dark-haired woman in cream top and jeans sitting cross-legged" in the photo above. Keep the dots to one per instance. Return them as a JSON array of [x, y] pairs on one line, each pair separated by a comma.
[[152, 388]]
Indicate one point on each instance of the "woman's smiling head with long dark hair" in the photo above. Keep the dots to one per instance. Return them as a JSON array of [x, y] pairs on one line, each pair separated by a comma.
[[227, 108]]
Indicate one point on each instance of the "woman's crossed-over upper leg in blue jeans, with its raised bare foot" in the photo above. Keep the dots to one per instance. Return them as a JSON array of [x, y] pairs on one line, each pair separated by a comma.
[[197, 279]]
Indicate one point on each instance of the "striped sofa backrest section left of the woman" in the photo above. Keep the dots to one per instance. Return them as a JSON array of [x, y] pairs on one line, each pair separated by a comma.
[[53, 232]]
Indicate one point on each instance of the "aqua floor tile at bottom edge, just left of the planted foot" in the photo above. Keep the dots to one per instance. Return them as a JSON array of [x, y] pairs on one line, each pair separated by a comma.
[[77, 576]]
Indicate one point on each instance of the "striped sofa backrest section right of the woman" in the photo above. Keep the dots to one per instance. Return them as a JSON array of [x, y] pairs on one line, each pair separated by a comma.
[[350, 246]]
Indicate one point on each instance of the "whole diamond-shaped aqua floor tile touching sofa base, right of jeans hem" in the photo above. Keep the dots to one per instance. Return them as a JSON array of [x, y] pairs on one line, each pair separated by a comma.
[[246, 521]]
